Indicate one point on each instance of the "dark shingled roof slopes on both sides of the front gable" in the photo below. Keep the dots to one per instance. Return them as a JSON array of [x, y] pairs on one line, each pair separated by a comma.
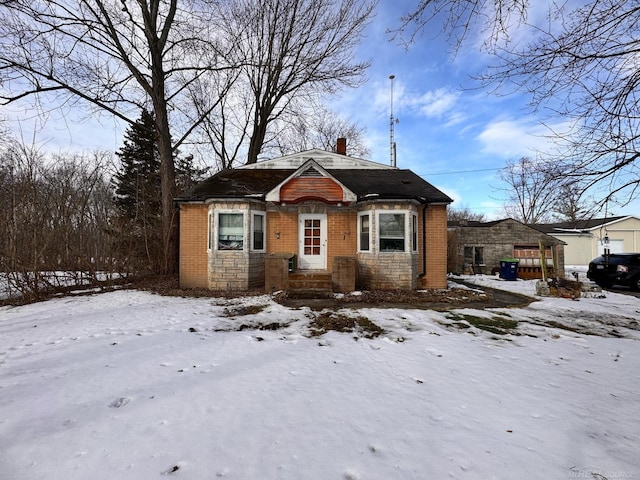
[[366, 184]]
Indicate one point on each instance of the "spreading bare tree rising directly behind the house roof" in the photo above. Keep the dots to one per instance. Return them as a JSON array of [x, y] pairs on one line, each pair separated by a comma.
[[289, 50]]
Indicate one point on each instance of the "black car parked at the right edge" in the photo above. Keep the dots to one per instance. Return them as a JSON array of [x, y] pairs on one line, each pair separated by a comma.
[[616, 269]]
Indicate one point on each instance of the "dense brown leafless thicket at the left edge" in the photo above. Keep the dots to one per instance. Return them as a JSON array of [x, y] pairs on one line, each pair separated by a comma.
[[55, 217]]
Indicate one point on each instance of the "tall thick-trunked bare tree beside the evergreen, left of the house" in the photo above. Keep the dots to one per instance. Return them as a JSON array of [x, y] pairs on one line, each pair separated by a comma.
[[117, 57]]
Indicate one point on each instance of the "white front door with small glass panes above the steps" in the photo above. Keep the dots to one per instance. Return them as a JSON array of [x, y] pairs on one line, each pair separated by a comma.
[[312, 241]]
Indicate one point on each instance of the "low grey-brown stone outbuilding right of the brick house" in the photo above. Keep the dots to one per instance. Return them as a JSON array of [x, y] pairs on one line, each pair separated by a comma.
[[478, 247]]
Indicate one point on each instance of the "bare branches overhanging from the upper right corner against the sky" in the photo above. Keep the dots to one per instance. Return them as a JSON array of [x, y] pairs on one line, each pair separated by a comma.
[[587, 71]]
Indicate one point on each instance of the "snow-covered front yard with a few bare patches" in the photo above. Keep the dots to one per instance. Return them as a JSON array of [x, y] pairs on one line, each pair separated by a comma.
[[132, 385]]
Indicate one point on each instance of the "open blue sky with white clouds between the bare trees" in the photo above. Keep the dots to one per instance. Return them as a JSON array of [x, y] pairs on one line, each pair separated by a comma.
[[454, 134]]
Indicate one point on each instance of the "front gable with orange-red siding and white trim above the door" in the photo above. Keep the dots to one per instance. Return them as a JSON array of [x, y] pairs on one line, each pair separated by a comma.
[[311, 182]]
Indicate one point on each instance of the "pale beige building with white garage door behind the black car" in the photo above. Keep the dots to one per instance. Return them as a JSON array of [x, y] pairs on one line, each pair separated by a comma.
[[585, 239]]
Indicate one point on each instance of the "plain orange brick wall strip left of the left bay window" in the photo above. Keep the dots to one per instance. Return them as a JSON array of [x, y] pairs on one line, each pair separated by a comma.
[[193, 245]]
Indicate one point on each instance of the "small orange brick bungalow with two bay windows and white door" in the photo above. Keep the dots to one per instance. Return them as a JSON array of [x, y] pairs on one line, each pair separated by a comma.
[[316, 211]]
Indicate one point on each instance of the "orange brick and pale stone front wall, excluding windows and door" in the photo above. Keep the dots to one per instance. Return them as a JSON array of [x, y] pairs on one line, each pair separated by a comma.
[[242, 270]]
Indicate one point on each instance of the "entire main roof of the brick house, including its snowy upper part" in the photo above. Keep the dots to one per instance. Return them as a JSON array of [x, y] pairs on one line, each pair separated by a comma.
[[367, 180]]
